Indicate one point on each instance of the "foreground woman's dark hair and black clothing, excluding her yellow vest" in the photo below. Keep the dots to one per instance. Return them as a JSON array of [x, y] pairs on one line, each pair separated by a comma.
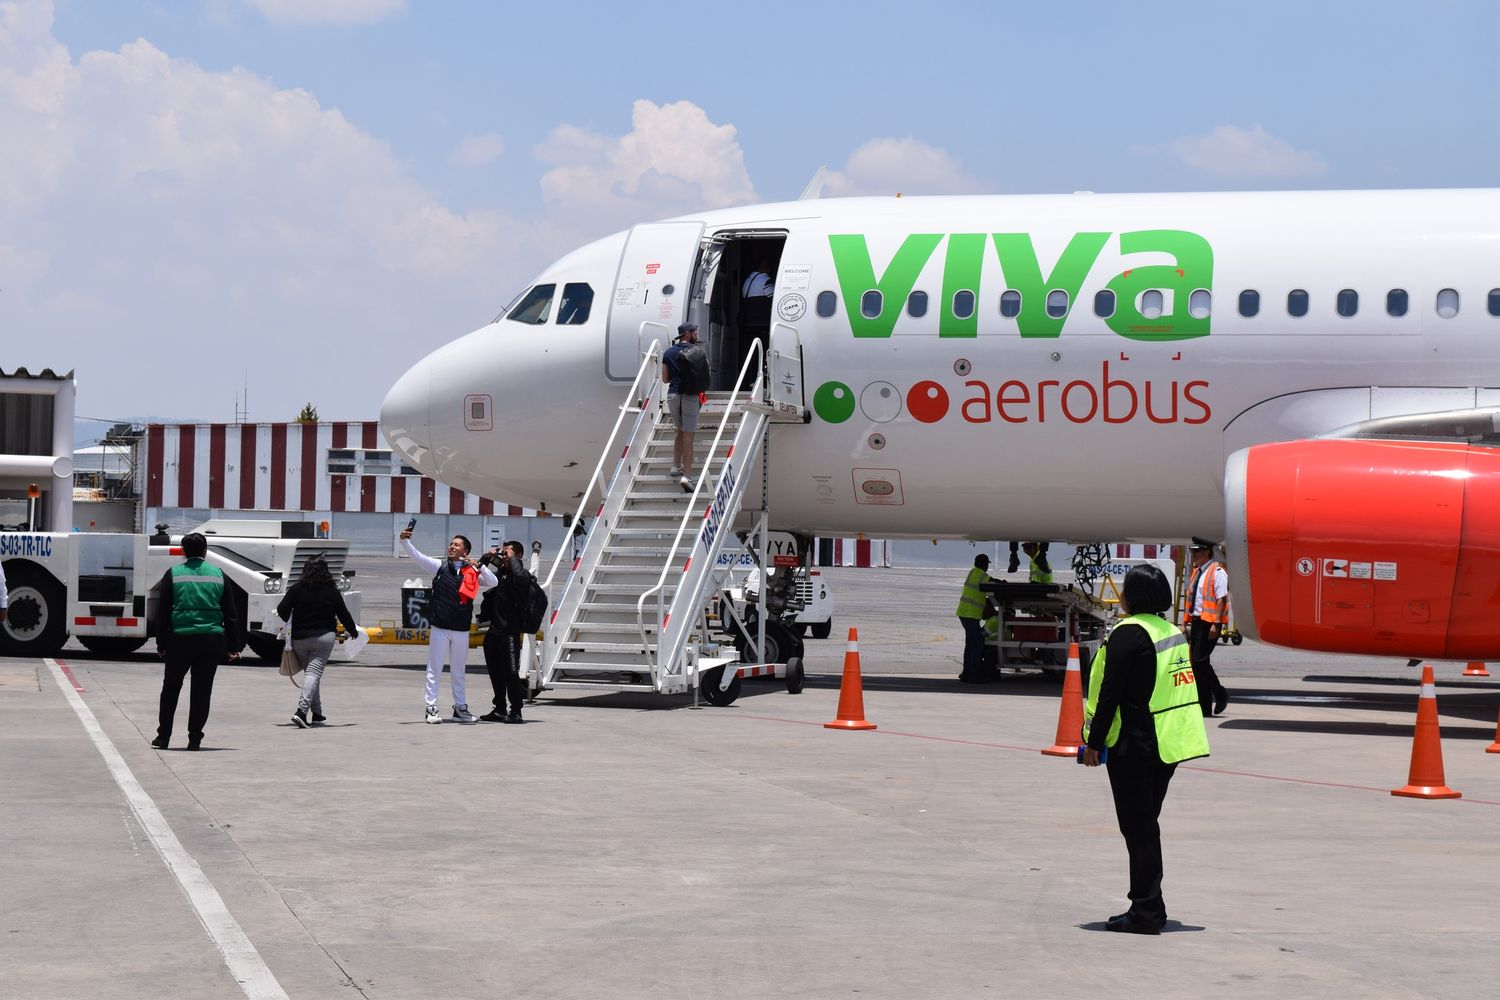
[[1138, 777]]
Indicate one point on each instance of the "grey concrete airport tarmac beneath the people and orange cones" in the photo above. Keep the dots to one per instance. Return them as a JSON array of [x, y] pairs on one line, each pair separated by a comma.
[[629, 846]]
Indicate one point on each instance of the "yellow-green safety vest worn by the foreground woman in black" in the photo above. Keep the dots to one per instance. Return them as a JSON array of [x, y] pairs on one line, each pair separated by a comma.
[[1175, 711]]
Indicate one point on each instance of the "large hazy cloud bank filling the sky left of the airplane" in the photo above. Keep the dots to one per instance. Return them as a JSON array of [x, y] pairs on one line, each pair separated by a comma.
[[154, 212]]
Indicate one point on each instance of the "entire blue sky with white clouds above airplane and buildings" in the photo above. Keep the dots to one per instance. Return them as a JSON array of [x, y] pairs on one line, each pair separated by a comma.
[[209, 205]]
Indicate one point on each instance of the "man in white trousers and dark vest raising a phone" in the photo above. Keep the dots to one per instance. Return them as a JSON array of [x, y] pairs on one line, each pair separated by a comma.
[[457, 581]]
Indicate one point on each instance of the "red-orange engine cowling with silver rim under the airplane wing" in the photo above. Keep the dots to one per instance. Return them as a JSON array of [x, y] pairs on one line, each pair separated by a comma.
[[1388, 548]]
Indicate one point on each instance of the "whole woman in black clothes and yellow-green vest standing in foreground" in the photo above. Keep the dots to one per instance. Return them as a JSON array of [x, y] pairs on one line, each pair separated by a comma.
[[1142, 719]]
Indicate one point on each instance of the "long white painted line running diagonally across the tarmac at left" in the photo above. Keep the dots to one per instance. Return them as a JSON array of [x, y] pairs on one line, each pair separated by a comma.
[[245, 963]]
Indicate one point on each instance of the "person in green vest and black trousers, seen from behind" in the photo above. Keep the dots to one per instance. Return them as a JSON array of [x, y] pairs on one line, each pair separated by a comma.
[[197, 624]]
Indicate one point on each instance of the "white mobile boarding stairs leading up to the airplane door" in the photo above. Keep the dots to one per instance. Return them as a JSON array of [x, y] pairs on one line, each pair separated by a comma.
[[632, 611]]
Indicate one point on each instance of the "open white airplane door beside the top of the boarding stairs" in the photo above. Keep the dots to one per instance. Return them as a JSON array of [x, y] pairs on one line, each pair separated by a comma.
[[652, 292]]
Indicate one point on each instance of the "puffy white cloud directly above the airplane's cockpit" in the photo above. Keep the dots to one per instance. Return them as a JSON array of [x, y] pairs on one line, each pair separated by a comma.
[[673, 161]]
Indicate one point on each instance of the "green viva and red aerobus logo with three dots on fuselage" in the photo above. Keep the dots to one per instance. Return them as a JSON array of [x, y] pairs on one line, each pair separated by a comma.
[[1109, 398]]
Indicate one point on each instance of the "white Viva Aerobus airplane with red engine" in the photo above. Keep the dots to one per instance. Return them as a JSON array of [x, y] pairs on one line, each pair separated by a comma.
[[1312, 376]]
